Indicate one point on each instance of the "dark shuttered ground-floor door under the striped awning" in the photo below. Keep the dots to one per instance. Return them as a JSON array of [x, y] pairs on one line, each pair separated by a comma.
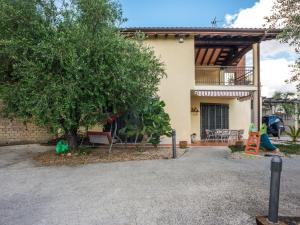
[[213, 116]]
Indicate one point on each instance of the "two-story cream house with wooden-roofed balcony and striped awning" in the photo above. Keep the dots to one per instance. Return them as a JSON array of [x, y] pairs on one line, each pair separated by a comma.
[[210, 82]]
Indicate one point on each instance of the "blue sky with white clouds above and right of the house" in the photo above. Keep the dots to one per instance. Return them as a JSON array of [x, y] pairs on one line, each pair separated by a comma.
[[275, 57]]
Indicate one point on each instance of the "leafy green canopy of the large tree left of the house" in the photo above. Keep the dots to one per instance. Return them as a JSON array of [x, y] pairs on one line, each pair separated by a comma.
[[69, 66]]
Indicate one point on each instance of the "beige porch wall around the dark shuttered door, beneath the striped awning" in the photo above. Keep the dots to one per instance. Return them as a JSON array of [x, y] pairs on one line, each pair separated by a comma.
[[239, 113]]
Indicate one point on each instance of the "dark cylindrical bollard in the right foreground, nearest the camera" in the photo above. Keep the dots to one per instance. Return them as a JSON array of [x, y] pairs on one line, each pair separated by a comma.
[[276, 167]]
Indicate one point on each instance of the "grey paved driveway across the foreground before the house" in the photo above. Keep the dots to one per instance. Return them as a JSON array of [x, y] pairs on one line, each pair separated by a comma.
[[202, 187]]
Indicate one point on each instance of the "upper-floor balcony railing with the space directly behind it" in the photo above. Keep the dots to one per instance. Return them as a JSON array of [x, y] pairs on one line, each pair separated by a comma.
[[224, 76]]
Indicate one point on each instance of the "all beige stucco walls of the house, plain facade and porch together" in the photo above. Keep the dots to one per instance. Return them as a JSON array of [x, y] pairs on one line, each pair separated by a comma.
[[176, 88]]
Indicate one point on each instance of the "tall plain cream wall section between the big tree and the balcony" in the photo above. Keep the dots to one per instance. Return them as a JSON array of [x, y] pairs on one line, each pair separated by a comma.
[[175, 89]]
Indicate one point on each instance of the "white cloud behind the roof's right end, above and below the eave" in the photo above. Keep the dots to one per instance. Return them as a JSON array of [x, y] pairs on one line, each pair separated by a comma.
[[275, 56]]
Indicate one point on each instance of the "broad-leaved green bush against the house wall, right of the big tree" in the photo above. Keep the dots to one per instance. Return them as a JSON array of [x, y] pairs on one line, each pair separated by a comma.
[[151, 122]]
